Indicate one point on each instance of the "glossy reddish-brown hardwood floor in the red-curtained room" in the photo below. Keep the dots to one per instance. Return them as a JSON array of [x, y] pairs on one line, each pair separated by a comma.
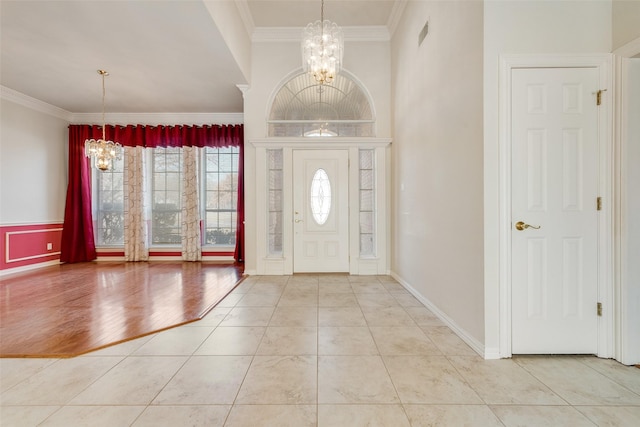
[[71, 309]]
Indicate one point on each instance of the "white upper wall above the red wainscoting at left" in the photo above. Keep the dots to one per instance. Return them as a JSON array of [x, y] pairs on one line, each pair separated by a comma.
[[33, 159]]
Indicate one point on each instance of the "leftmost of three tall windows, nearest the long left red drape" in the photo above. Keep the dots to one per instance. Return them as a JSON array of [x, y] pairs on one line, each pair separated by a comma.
[[109, 205]]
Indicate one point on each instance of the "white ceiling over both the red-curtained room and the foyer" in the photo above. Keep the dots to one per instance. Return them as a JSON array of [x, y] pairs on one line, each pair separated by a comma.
[[162, 56]]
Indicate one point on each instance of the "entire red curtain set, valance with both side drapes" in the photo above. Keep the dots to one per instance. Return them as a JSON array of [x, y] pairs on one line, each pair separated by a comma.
[[78, 228]]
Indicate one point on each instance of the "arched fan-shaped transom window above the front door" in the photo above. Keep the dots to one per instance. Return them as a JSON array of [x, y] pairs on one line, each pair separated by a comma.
[[304, 108]]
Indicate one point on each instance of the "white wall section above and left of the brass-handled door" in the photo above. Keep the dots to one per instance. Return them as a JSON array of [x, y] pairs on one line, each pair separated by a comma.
[[526, 27]]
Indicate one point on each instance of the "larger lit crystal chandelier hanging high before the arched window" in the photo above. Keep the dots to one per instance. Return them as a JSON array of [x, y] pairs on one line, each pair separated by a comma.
[[322, 49]]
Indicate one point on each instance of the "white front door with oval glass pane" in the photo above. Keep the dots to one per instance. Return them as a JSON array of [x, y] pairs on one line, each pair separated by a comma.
[[321, 211]]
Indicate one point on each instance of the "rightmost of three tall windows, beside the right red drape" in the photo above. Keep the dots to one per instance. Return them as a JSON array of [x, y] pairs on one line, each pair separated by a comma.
[[221, 195]]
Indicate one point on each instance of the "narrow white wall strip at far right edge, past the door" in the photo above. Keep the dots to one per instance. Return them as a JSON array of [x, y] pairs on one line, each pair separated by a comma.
[[630, 216]]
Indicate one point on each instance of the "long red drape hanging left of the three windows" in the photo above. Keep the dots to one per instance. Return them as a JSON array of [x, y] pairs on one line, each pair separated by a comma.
[[77, 243]]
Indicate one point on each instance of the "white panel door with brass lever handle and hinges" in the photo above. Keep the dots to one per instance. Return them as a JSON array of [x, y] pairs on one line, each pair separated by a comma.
[[554, 187]]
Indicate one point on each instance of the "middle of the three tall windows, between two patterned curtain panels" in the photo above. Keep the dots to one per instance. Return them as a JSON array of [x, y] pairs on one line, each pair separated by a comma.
[[166, 206]]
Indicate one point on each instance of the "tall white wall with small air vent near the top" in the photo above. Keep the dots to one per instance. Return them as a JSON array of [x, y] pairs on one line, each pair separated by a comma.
[[437, 238]]
